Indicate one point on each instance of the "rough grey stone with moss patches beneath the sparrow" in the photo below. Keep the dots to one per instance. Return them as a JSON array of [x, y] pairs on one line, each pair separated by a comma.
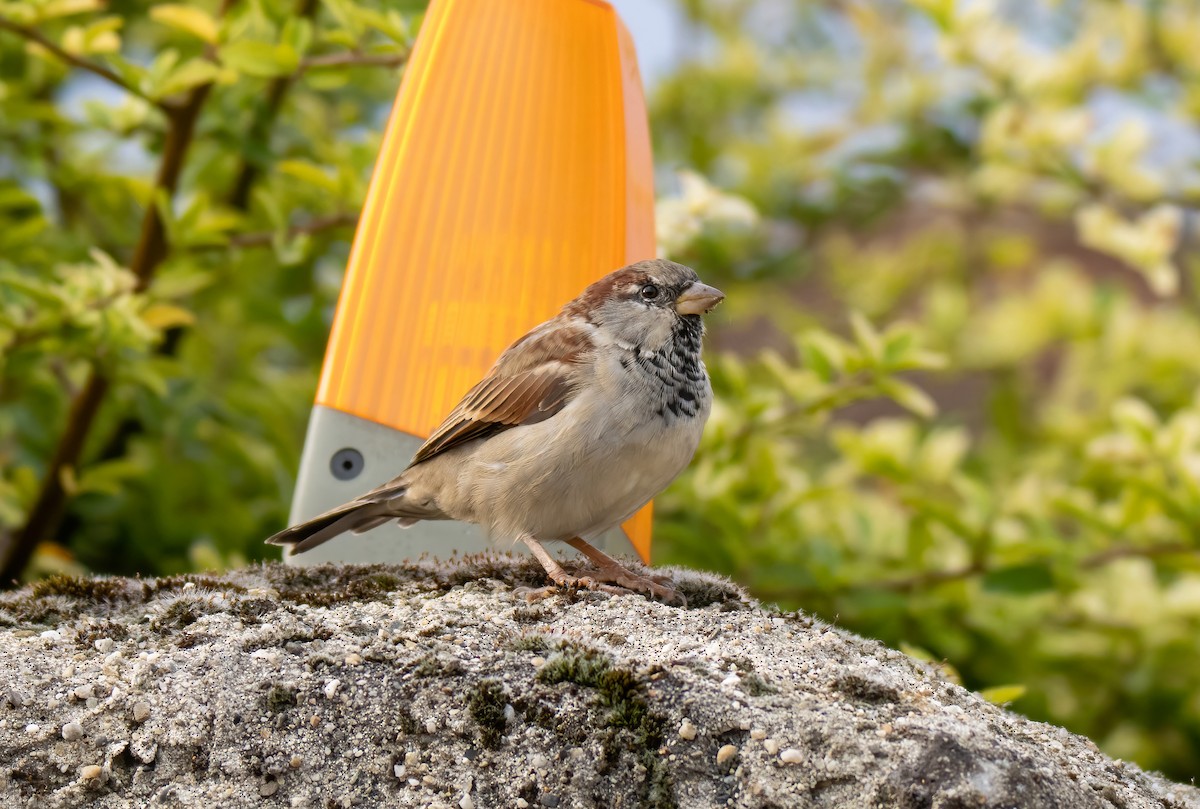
[[440, 686]]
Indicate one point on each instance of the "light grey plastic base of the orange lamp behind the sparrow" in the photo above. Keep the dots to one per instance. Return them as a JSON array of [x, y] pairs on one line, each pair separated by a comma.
[[386, 453]]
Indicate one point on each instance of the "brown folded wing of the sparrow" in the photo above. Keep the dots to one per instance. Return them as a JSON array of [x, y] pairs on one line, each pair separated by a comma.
[[533, 380]]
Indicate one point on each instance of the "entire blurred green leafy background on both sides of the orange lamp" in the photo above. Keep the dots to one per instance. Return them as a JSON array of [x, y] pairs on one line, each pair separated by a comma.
[[957, 373]]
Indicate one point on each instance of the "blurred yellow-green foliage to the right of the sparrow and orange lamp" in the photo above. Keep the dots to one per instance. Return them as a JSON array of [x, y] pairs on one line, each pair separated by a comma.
[[1005, 472]]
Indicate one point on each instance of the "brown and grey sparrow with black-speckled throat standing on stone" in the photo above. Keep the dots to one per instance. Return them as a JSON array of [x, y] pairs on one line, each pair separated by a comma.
[[578, 426]]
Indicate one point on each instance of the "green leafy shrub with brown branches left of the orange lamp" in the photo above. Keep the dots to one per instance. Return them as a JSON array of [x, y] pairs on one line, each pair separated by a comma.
[[212, 358]]
